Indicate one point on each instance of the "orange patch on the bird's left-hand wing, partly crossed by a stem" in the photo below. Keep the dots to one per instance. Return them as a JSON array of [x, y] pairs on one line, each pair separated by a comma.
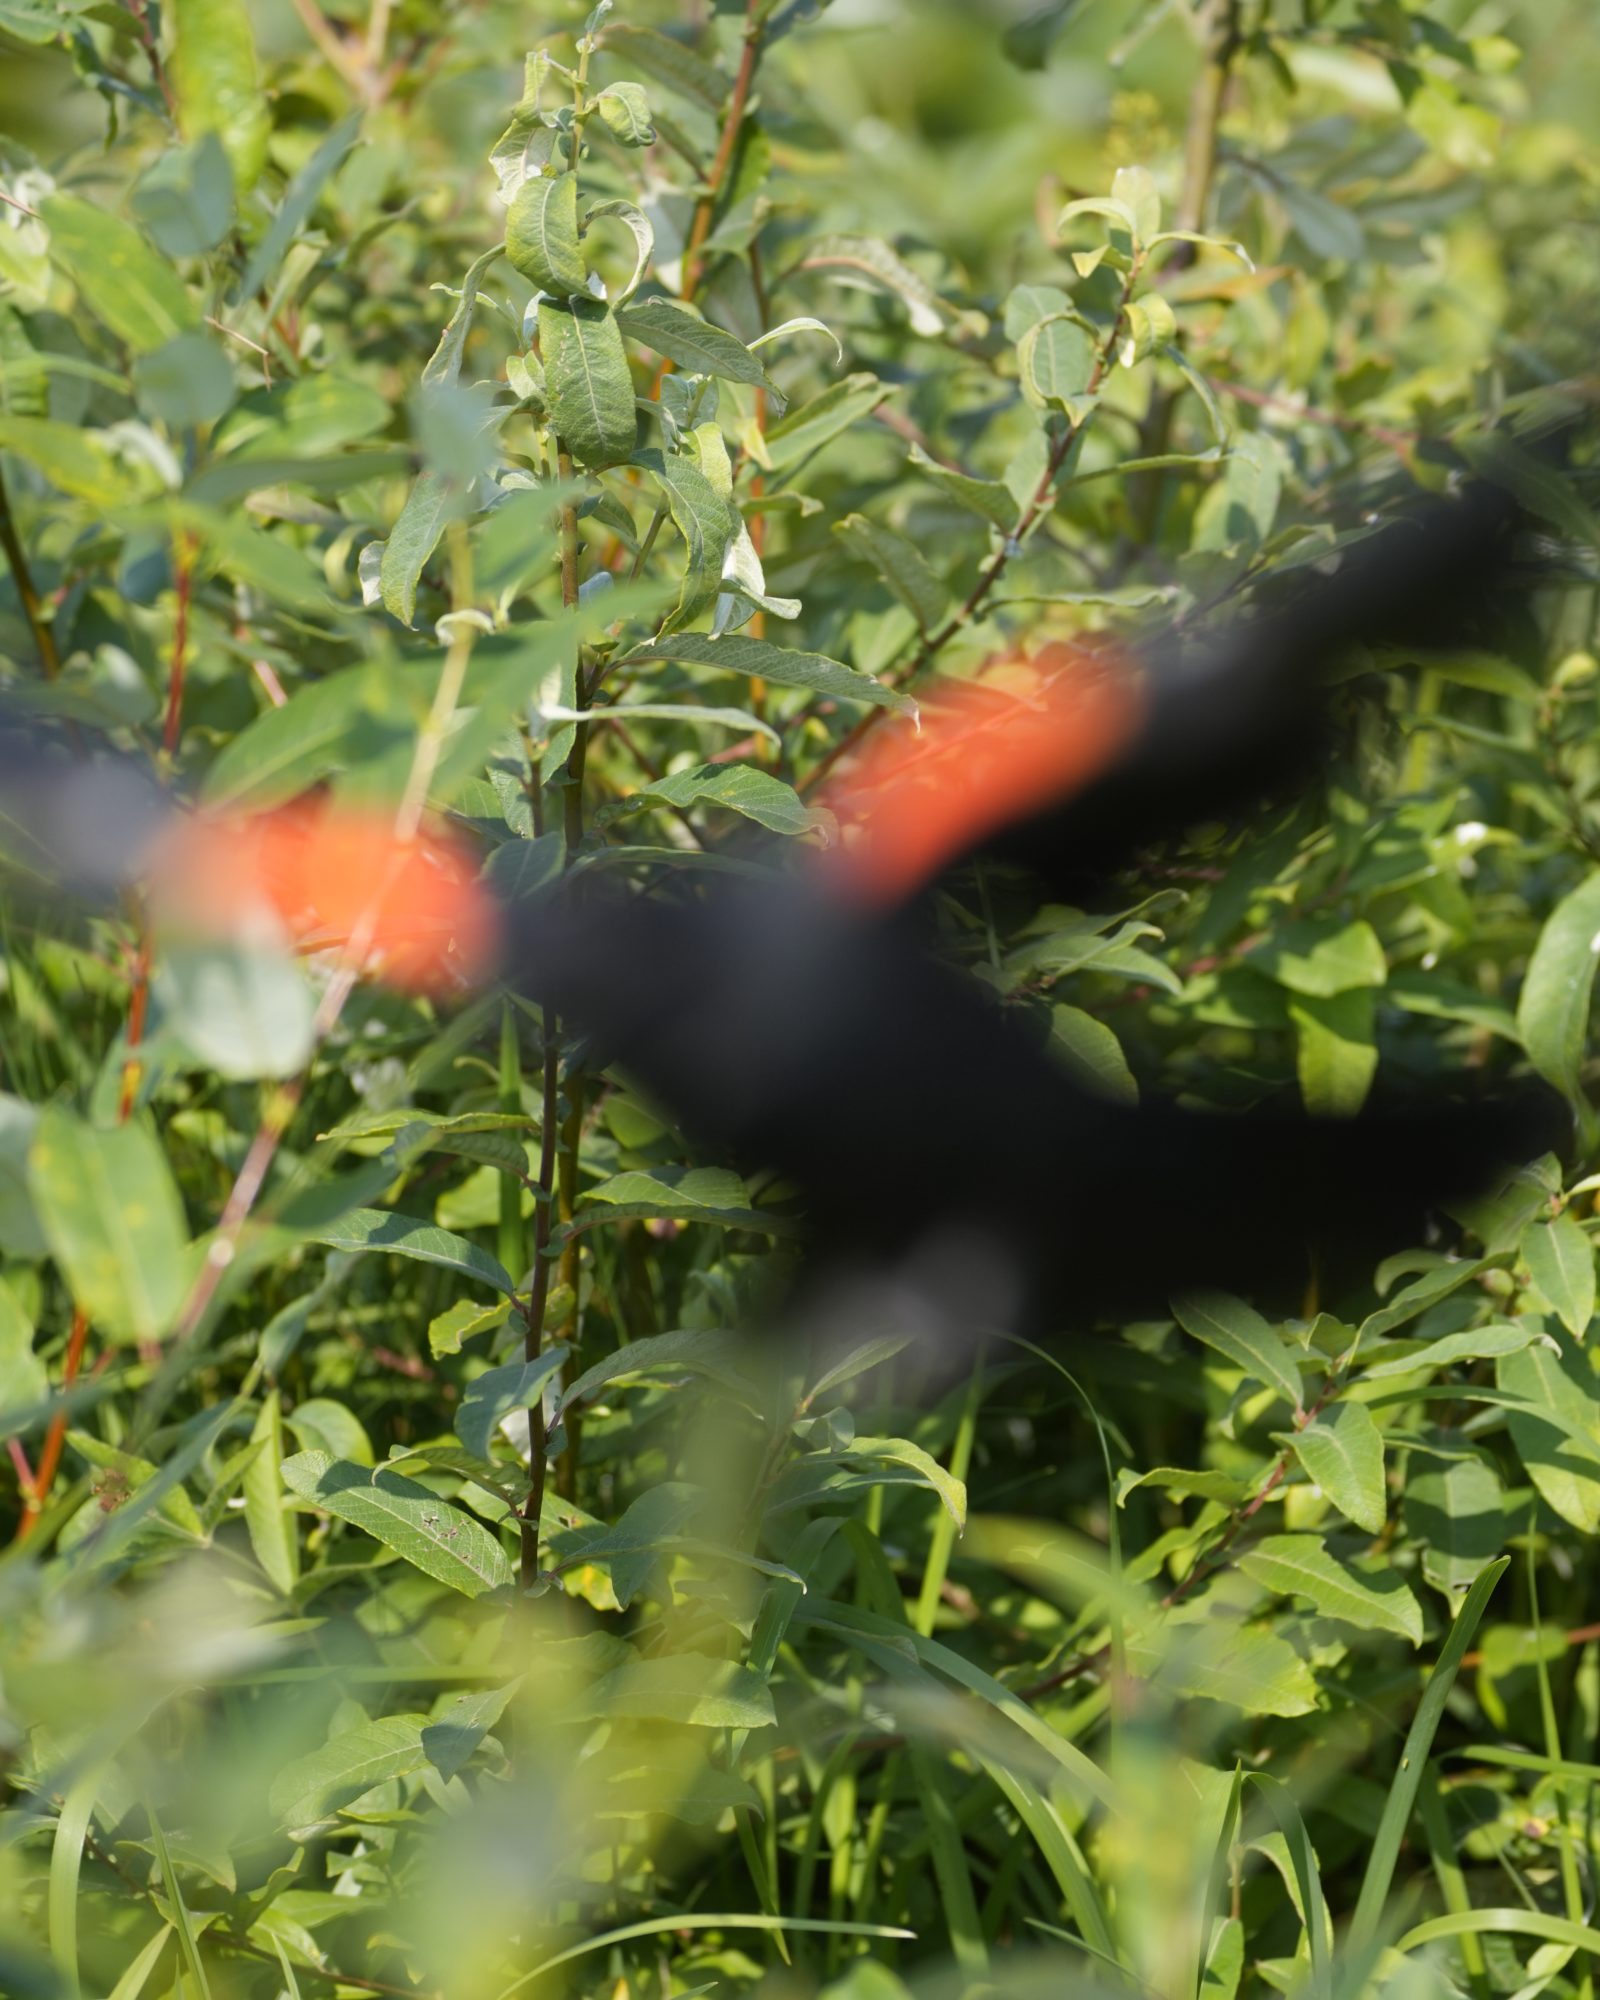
[[337, 881]]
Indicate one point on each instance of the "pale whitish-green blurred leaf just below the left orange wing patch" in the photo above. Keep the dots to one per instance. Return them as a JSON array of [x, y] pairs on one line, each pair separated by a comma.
[[239, 1007]]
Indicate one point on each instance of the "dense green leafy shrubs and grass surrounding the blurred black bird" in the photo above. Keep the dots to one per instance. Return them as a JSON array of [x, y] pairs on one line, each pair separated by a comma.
[[1247, 1655]]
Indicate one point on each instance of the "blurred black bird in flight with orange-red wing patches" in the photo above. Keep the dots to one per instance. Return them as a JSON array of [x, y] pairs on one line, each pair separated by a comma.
[[803, 1027]]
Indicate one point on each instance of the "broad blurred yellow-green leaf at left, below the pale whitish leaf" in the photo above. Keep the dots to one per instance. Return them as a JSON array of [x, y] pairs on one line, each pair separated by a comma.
[[115, 1225]]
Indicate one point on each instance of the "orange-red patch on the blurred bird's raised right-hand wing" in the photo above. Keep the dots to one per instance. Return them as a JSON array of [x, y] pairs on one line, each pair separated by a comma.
[[985, 757]]
